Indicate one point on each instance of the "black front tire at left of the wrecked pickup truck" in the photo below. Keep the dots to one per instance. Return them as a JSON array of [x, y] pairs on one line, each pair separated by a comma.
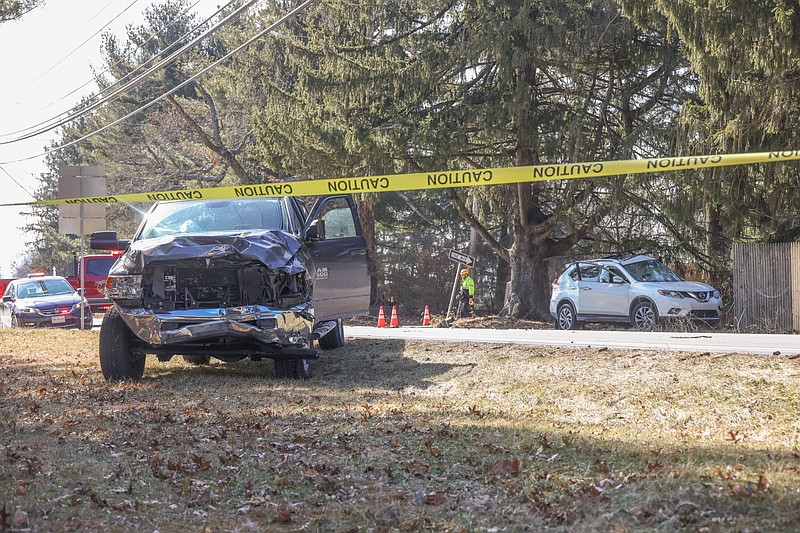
[[117, 361]]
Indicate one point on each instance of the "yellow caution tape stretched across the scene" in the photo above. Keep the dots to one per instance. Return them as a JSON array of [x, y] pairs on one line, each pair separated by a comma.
[[439, 179]]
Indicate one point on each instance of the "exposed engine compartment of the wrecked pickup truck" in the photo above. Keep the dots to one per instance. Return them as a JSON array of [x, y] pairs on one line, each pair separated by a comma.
[[170, 288]]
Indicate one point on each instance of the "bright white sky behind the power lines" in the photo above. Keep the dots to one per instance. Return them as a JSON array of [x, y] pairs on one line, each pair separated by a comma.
[[36, 75]]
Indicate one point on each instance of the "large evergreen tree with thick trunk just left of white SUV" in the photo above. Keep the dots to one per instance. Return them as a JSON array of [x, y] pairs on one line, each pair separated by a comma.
[[379, 87]]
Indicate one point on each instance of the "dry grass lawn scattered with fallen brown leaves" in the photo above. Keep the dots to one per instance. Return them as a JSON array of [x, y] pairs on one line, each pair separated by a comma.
[[400, 436]]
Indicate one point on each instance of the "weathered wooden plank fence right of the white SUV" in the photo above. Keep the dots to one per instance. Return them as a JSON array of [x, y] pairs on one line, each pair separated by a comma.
[[766, 286]]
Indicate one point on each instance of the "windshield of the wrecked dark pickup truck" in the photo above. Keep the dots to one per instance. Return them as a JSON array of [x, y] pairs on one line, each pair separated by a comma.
[[172, 218]]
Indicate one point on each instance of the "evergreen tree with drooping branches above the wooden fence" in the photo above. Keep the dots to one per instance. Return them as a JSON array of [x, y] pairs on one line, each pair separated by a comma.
[[746, 55]]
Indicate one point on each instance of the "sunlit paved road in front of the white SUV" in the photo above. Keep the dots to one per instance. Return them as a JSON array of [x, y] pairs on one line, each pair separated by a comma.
[[703, 341]]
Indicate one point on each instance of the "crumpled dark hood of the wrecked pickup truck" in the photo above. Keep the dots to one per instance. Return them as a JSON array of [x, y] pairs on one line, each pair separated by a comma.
[[275, 249]]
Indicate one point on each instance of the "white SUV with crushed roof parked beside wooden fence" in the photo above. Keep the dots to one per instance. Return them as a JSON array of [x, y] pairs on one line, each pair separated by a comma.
[[639, 290]]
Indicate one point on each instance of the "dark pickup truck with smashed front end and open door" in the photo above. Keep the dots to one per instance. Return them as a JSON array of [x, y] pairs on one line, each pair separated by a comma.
[[258, 278]]
